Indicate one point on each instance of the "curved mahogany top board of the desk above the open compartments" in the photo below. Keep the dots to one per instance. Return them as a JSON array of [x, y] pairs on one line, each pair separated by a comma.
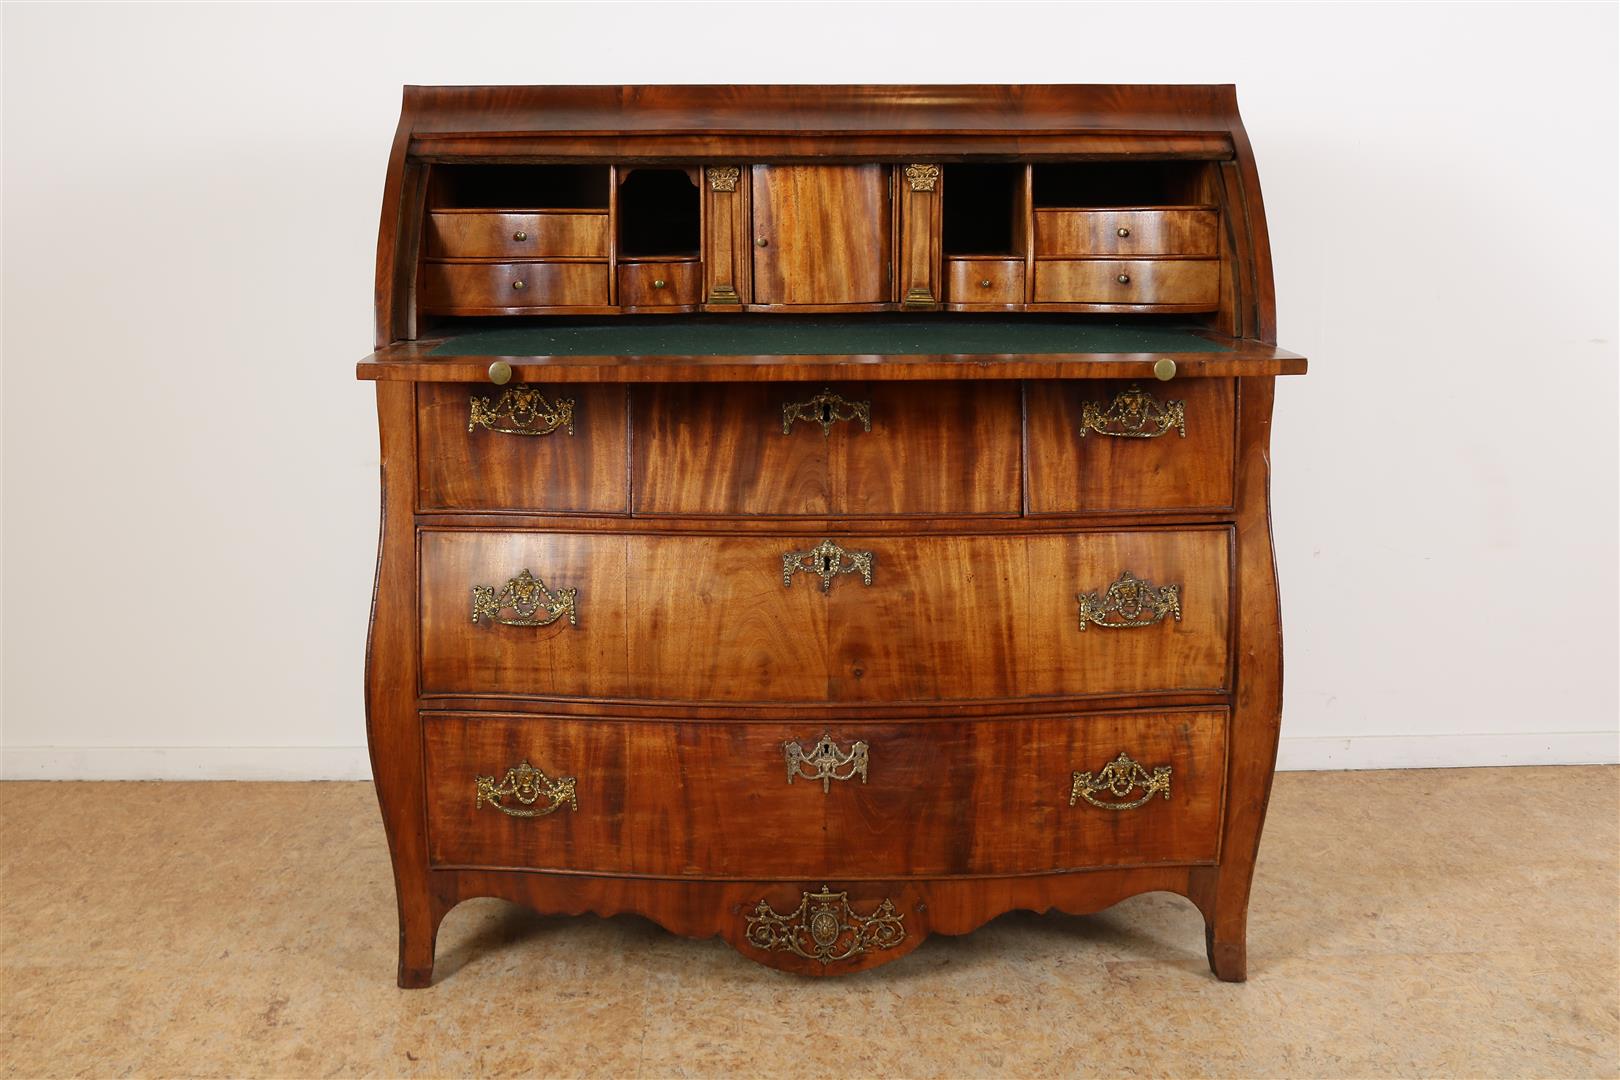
[[710, 124]]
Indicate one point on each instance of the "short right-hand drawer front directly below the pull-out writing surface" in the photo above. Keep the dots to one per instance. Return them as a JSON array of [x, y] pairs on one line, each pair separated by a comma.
[[1078, 470]]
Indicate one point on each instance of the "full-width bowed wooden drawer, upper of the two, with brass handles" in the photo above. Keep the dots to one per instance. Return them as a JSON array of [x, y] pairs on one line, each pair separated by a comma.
[[812, 619]]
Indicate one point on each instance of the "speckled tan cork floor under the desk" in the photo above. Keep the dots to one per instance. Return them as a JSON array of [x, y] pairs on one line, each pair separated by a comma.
[[1460, 924]]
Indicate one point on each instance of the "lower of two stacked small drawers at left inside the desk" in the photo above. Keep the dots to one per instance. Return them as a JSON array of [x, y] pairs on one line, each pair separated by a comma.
[[484, 287]]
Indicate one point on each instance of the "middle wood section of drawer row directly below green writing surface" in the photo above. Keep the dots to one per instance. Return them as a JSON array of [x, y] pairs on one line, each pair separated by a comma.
[[940, 449]]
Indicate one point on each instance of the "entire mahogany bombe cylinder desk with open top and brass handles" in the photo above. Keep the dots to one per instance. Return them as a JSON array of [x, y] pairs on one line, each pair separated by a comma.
[[824, 517]]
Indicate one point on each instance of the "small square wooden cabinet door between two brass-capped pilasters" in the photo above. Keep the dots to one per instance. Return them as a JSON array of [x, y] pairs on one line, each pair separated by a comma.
[[821, 234]]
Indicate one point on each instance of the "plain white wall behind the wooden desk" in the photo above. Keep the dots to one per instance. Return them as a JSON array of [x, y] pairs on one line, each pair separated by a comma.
[[192, 472]]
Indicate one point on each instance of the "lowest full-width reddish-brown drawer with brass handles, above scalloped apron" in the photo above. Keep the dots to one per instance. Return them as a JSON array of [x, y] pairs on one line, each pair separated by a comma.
[[843, 801]]
